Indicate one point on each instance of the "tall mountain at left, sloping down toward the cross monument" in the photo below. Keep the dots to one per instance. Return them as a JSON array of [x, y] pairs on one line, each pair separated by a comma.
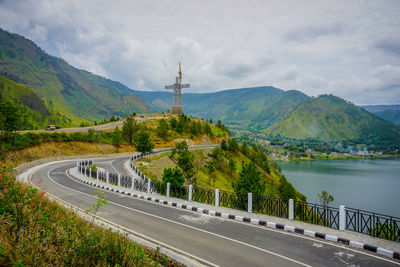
[[72, 92]]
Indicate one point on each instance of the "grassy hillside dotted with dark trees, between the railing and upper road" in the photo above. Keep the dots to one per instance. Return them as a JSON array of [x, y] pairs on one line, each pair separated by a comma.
[[231, 167]]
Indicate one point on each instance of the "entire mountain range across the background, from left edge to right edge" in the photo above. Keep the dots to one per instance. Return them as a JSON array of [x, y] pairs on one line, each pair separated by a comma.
[[67, 95]]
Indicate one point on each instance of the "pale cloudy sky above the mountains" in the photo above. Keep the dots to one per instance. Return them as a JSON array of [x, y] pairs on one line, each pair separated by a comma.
[[347, 48]]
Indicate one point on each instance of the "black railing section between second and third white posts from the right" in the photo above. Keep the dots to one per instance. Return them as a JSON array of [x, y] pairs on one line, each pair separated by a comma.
[[270, 206]]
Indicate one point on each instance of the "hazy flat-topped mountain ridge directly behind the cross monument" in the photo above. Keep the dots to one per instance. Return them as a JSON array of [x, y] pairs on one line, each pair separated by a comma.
[[245, 109]]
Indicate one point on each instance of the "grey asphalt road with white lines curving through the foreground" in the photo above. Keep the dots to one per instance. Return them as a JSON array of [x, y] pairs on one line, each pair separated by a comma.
[[210, 240]]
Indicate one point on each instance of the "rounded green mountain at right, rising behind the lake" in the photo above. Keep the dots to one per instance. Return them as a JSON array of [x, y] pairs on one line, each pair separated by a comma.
[[330, 118]]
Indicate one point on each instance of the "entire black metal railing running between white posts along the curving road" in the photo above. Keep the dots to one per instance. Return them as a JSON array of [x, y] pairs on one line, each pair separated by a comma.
[[366, 222]]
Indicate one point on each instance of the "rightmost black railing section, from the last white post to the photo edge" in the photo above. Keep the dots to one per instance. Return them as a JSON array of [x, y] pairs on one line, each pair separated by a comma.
[[374, 224]]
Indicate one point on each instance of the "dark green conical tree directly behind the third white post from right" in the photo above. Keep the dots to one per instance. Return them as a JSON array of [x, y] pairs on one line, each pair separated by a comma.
[[250, 180]]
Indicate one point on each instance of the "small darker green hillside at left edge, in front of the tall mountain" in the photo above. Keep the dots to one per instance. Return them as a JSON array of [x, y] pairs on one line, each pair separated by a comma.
[[38, 114]]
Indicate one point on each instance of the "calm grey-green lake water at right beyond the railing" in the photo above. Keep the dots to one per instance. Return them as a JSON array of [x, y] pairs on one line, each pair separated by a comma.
[[372, 185]]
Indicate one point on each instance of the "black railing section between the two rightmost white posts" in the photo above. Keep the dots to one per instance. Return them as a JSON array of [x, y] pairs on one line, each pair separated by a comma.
[[316, 214]]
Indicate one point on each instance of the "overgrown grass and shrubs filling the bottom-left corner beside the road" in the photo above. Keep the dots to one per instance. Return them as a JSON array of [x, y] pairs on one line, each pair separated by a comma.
[[35, 231]]
